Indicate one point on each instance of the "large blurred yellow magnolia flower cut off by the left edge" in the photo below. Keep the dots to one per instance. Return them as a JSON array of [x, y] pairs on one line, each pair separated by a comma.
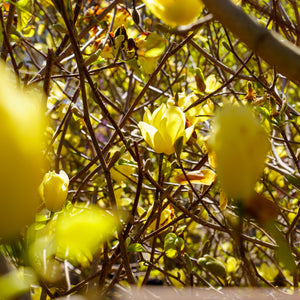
[[21, 135]]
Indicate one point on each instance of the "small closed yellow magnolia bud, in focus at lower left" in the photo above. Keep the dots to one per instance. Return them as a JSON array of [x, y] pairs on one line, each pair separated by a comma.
[[54, 190]]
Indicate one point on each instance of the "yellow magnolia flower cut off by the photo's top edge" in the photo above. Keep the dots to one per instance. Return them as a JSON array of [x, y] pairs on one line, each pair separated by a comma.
[[175, 12]]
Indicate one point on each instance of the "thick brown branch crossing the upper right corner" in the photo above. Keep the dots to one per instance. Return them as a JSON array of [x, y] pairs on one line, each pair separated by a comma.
[[268, 45]]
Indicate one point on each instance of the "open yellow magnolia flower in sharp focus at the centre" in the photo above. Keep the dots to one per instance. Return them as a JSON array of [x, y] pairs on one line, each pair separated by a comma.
[[162, 128]]
